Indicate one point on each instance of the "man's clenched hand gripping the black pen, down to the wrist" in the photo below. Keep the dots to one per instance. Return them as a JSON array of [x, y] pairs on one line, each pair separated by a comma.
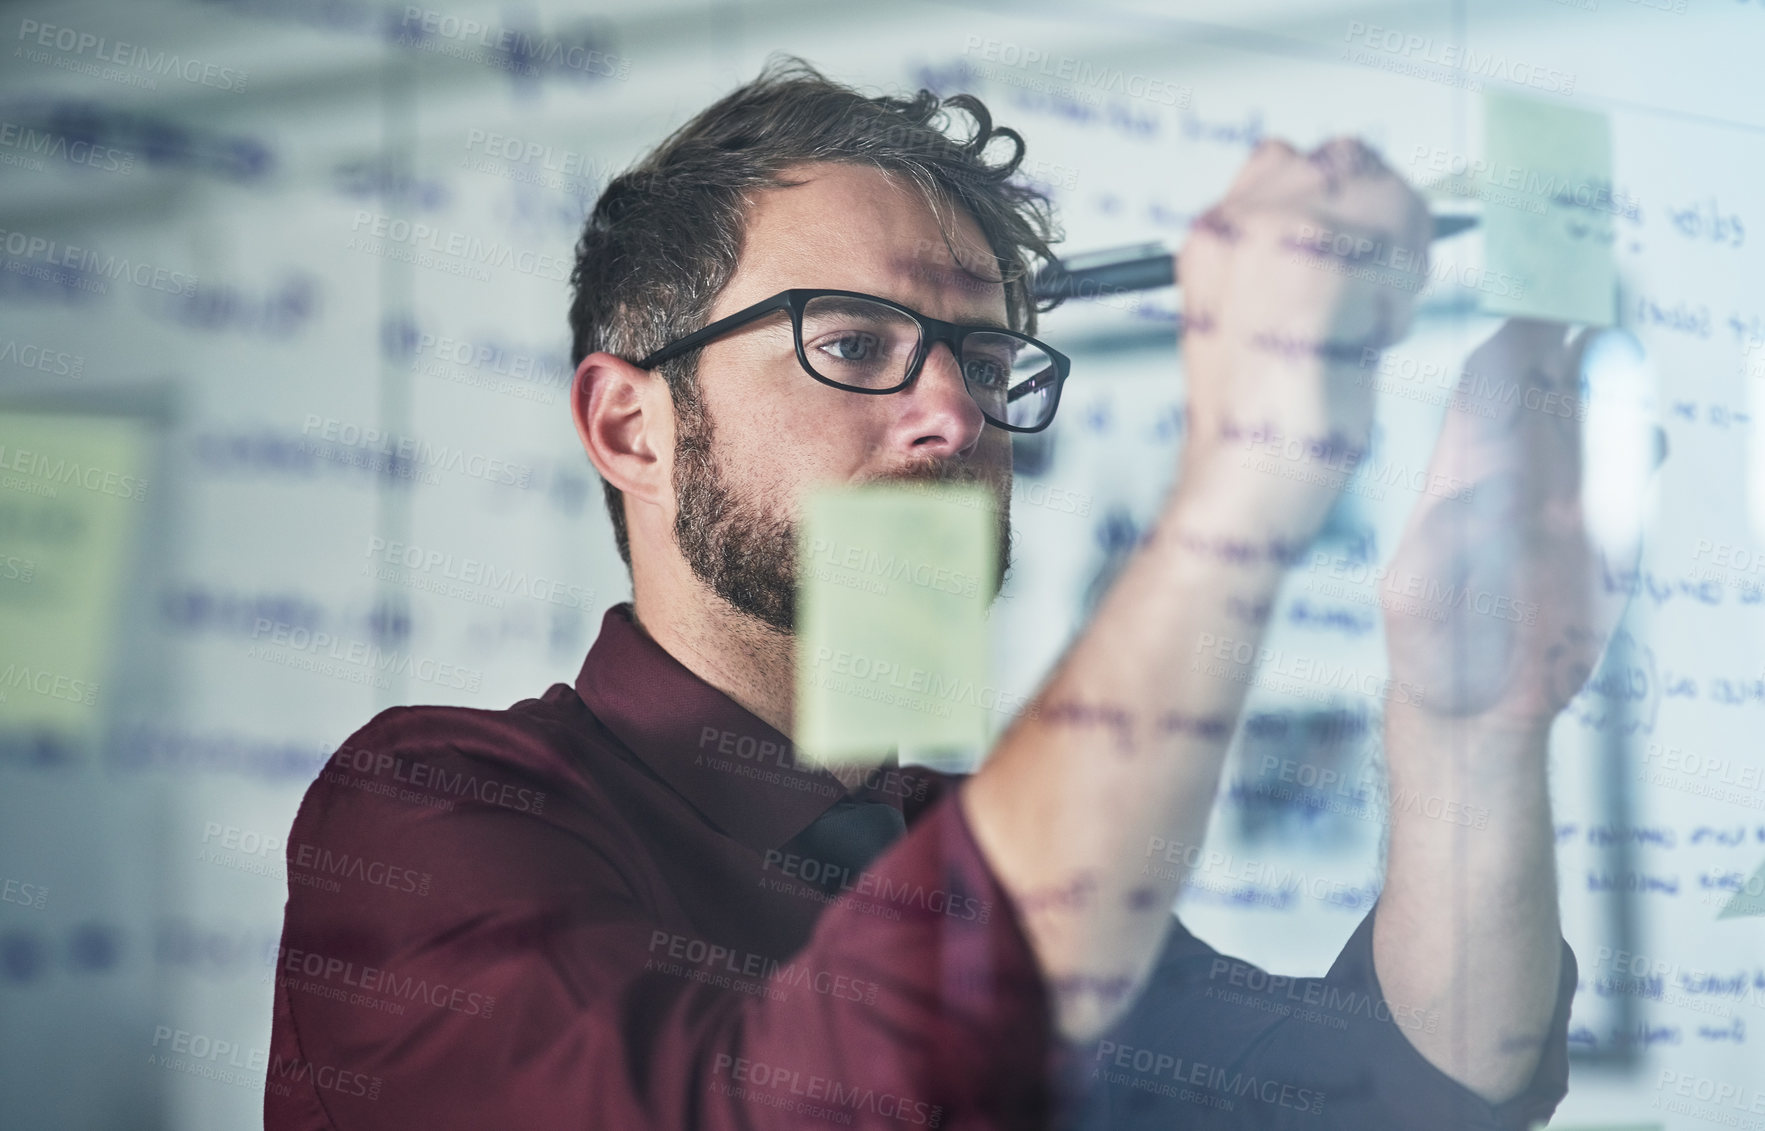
[[1307, 264]]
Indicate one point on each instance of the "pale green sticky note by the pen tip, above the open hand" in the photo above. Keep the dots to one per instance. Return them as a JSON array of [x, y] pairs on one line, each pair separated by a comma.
[[1549, 213]]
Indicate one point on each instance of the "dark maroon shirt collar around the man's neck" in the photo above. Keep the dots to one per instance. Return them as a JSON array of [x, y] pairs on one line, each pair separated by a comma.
[[719, 756]]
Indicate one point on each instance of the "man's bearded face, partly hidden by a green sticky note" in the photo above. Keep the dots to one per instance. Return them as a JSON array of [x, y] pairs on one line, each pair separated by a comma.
[[765, 431]]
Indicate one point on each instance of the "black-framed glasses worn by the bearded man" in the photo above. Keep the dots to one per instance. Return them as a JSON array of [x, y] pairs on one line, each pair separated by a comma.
[[871, 345]]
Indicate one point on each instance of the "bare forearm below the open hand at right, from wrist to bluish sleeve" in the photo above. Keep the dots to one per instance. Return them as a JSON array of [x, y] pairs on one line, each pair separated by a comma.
[[1468, 925]]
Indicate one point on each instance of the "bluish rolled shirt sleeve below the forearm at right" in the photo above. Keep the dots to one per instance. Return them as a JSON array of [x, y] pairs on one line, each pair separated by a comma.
[[1220, 1044]]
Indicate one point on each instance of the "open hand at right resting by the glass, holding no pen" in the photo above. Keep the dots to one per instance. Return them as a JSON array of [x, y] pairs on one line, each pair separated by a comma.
[[1510, 567]]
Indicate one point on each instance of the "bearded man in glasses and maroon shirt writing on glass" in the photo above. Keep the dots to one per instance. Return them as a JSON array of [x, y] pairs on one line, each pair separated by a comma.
[[627, 906]]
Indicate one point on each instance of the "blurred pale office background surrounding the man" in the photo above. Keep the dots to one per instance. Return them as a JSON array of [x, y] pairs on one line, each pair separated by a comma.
[[283, 281]]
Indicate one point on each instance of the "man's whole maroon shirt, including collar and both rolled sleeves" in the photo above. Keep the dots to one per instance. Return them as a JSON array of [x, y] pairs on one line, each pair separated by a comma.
[[580, 913]]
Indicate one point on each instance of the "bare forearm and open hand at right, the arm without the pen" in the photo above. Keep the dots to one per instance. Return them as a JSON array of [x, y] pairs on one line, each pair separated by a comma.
[[1499, 615]]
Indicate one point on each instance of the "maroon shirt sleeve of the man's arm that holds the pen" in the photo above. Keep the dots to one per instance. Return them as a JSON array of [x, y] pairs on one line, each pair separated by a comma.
[[532, 987]]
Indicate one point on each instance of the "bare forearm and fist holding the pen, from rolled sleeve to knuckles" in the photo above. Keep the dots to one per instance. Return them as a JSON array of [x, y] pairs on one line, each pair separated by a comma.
[[1118, 761]]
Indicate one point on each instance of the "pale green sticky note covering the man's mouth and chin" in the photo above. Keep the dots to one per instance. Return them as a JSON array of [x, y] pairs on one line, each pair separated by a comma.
[[894, 585]]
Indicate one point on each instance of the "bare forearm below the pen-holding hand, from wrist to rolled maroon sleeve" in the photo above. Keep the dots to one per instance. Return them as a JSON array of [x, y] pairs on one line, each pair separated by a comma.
[[1123, 745]]
